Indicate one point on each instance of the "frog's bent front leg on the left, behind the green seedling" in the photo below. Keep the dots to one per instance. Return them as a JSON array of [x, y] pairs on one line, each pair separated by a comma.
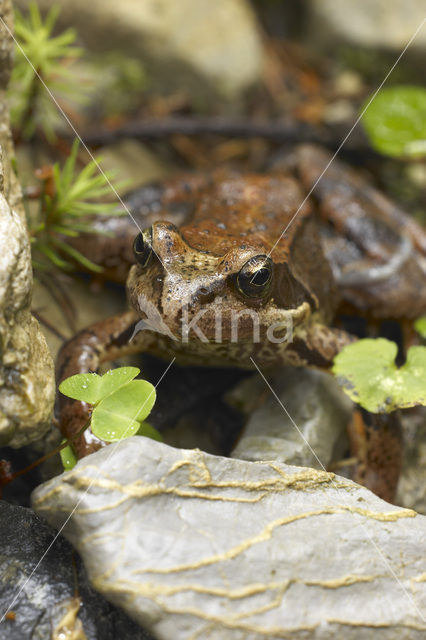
[[101, 342]]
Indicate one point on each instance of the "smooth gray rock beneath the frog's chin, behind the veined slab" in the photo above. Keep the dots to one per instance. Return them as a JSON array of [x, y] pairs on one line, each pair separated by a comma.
[[315, 402]]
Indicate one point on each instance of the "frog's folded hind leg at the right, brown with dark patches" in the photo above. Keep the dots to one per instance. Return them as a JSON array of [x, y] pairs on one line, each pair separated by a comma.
[[376, 251]]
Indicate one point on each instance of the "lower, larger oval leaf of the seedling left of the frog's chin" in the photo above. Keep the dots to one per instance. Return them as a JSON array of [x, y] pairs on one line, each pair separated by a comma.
[[119, 415]]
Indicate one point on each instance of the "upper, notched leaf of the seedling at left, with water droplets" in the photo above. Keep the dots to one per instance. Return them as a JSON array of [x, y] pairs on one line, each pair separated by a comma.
[[91, 387]]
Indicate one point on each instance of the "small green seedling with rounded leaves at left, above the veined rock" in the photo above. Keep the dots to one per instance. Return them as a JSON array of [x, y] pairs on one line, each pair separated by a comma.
[[120, 405]]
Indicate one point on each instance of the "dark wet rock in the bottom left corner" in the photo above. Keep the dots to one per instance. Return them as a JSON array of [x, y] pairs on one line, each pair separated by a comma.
[[50, 591]]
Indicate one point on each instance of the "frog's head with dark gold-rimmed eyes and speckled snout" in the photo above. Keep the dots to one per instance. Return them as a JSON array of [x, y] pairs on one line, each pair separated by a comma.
[[223, 293]]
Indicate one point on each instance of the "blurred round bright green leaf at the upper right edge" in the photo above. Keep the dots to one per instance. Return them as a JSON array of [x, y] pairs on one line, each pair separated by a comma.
[[395, 121]]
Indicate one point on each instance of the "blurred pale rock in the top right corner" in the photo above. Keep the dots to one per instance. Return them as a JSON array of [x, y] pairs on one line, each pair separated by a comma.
[[367, 23]]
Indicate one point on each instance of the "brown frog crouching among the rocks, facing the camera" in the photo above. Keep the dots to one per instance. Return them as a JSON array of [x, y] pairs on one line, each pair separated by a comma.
[[217, 282]]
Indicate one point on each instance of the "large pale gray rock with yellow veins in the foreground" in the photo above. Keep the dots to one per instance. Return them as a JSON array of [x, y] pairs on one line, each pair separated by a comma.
[[198, 546]]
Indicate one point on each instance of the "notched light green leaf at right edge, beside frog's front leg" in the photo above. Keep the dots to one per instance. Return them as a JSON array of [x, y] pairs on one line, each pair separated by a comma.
[[367, 371]]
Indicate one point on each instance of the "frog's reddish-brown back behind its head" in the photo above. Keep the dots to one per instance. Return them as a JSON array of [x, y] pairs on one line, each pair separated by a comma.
[[267, 212]]
